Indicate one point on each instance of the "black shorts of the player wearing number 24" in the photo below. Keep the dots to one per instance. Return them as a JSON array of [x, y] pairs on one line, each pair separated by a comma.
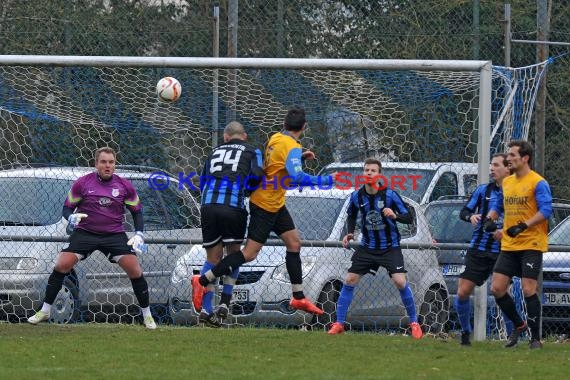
[[222, 223]]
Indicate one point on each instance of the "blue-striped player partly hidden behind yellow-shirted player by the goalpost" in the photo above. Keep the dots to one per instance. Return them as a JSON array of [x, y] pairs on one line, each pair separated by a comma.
[[484, 247]]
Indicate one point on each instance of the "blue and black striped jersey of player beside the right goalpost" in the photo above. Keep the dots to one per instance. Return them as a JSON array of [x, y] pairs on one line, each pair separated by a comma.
[[479, 203]]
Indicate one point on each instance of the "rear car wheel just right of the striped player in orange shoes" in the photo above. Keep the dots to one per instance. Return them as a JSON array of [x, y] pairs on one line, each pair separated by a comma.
[[434, 310]]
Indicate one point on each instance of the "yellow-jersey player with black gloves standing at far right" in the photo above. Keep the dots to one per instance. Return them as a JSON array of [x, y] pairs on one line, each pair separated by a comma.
[[527, 204]]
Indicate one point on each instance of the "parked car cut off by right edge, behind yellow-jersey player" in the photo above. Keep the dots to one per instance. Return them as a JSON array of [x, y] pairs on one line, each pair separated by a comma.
[[556, 282]]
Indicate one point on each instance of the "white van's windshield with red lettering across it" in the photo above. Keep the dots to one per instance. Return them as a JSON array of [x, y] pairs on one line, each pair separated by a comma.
[[407, 186]]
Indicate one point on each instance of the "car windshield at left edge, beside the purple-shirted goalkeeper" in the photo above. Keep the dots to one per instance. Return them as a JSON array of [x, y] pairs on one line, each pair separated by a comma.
[[32, 201]]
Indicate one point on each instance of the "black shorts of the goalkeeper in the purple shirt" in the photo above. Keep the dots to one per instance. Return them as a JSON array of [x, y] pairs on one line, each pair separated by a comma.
[[84, 243]]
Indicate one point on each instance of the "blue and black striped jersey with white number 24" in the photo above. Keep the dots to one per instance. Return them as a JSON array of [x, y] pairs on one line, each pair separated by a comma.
[[232, 169]]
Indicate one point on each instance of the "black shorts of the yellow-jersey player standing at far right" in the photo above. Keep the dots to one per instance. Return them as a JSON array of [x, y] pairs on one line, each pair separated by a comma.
[[519, 263]]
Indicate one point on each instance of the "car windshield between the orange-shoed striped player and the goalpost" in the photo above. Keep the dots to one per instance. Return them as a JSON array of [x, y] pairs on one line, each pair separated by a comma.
[[445, 225]]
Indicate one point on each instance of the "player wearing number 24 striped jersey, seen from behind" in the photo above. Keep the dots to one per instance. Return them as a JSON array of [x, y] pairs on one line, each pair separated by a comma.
[[233, 167]]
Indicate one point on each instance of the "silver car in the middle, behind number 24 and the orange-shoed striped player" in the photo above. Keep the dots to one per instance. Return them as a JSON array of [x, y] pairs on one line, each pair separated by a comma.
[[263, 291]]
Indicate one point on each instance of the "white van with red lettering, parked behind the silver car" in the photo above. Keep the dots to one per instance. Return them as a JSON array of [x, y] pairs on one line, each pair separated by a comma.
[[421, 181]]
